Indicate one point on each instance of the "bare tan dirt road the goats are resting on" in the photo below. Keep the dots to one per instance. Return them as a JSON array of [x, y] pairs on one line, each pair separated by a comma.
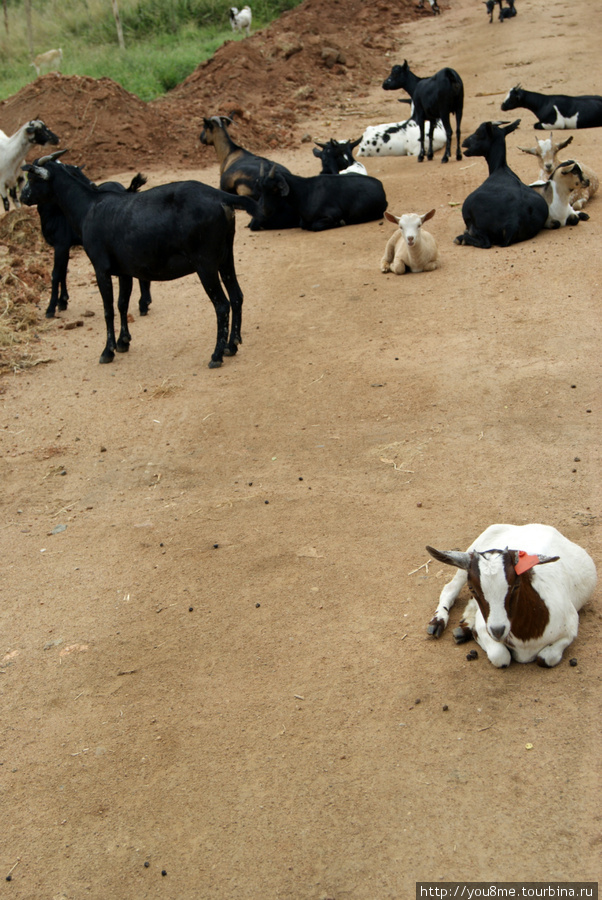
[[215, 676]]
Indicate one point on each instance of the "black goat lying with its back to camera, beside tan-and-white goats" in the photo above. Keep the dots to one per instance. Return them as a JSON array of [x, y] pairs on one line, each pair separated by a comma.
[[502, 210]]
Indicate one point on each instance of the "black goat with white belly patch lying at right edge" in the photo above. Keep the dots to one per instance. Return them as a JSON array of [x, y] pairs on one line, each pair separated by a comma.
[[557, 110]]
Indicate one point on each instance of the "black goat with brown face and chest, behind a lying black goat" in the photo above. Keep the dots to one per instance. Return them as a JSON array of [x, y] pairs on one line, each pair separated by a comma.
[[240, 170]]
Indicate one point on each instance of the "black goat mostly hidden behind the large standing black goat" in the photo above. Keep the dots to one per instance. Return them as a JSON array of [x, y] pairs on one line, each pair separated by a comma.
[[61, 236]]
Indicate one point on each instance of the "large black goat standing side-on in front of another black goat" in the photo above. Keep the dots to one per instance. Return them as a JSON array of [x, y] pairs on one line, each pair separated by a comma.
[[159, 235]]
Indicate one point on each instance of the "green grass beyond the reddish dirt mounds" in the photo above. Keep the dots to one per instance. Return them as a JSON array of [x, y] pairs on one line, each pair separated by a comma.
[[165, 40]]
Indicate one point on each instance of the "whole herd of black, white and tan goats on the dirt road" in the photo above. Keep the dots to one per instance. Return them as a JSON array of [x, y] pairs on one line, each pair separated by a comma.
[[527, 582]]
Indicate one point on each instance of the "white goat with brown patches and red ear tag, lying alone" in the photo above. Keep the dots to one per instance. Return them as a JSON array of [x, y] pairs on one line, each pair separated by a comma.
[[525, 597]]
